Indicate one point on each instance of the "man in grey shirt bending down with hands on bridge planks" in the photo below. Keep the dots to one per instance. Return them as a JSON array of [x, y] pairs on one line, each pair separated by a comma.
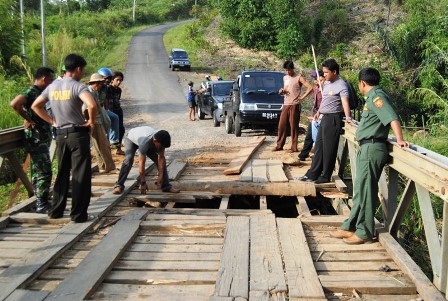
[[151, 143]]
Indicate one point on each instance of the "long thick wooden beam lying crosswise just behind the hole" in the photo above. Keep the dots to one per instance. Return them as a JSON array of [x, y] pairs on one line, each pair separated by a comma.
[[243, 188]]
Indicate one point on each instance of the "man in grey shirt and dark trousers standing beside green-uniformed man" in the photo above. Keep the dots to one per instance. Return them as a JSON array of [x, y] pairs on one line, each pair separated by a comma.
[[334, 106]]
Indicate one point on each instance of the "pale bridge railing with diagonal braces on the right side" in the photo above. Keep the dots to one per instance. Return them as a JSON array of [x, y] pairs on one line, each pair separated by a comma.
[[426, 173]]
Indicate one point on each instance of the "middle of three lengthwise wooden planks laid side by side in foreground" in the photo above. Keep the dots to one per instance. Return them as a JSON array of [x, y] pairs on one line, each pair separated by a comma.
[[266, 267]]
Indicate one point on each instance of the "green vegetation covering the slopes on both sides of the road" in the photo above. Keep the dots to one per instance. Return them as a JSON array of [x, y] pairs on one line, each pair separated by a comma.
[[405, 39]]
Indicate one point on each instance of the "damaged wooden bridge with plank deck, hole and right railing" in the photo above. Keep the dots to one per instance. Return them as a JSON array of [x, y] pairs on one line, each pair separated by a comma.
[[241, 229]]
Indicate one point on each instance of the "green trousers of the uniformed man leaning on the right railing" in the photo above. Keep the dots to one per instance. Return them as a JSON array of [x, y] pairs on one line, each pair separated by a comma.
[[370, 162]]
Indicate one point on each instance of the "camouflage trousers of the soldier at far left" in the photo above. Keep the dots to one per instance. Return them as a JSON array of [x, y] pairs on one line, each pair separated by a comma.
[[41, 172]]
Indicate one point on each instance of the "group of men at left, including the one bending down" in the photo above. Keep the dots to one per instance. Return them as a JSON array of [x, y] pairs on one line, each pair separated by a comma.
[[77, 112]]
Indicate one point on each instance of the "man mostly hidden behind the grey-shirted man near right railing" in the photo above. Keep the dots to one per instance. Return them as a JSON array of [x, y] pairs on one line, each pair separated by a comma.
[[317, 99]]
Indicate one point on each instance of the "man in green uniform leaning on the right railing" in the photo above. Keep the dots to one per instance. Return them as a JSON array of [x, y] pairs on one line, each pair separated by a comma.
[[378, 117]]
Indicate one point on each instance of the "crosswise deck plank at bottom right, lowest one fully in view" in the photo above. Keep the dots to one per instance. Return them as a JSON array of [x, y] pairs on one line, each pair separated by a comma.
[[368, 284]]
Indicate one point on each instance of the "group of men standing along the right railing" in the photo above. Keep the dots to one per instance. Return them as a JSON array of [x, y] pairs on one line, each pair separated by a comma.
[[331, 108]]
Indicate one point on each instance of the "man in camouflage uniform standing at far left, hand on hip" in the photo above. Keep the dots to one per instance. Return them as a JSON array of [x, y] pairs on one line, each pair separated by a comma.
[[37, 137]]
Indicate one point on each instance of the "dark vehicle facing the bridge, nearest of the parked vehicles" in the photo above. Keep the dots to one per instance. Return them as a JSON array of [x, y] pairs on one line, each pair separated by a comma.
[[255, 102]]
